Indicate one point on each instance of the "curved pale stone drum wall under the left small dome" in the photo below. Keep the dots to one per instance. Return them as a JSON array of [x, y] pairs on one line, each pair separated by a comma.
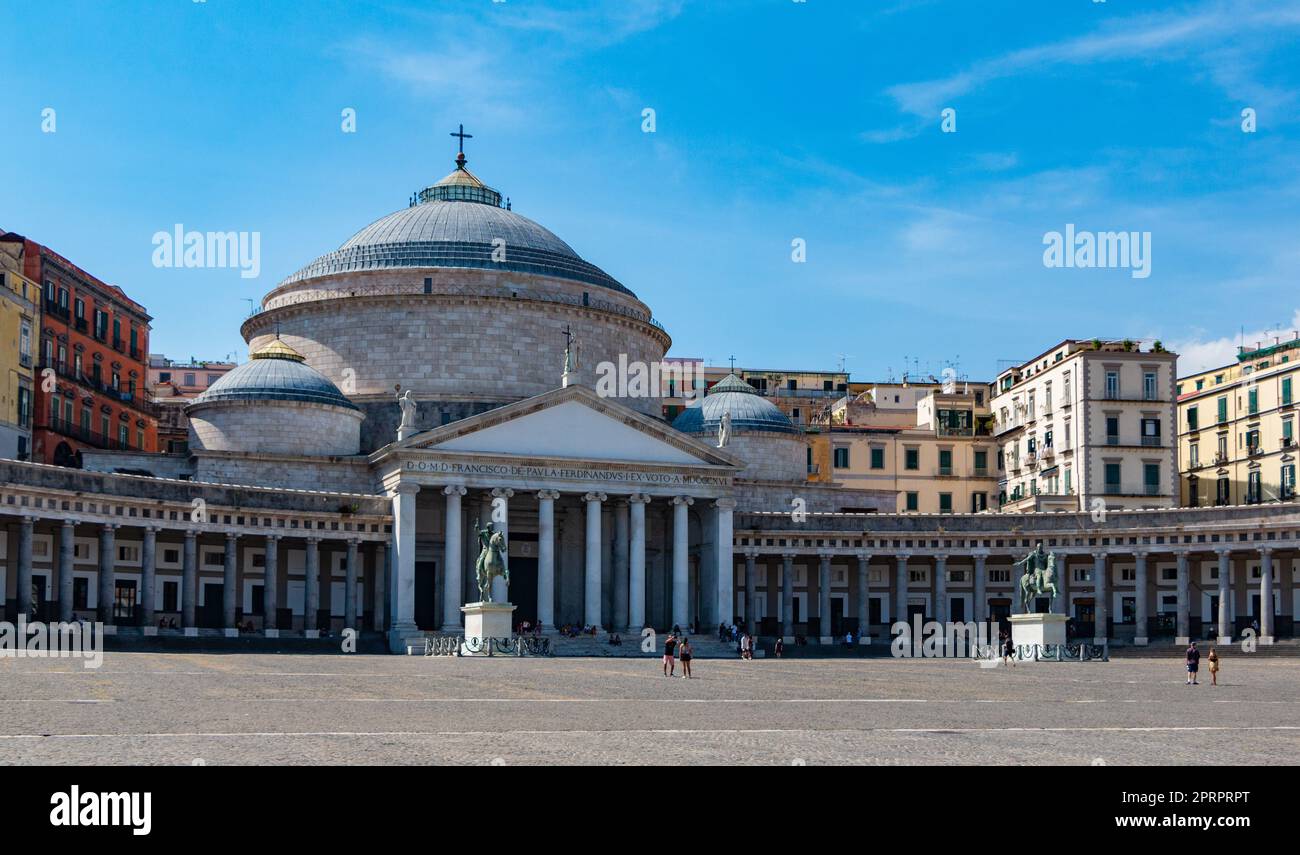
[[275, 428]]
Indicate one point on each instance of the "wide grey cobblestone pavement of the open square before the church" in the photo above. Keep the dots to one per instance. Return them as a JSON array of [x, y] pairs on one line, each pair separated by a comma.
[[184, 709]]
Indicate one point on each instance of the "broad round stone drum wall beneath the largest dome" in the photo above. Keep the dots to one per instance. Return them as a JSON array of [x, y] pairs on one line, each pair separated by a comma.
[[482, 341]]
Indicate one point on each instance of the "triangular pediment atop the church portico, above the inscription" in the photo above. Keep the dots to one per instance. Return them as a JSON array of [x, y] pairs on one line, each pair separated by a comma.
[[574, 424]]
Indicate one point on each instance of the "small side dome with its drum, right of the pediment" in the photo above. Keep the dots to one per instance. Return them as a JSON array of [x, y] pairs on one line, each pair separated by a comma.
[[773, 448]]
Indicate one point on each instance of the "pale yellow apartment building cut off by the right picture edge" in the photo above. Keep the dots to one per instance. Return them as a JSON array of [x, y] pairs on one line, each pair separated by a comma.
[[1237, 429]]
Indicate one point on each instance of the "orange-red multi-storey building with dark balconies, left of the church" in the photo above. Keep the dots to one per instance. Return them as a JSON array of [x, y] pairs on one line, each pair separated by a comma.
[[93, 363]]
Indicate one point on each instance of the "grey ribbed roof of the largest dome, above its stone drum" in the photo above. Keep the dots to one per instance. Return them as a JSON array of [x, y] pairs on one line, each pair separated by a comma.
[[440, 231]]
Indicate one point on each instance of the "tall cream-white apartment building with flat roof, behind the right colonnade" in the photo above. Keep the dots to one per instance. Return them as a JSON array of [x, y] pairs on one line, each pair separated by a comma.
[[1089, 426]]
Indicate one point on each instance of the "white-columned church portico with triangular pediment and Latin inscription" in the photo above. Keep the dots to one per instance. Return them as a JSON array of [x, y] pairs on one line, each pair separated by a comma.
[[580, 485]]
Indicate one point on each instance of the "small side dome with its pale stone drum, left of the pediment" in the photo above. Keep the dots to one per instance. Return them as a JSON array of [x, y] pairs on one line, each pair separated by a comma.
[[275, 403]]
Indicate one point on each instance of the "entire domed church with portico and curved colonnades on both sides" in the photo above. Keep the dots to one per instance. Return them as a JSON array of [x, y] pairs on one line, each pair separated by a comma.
[[311, 500]]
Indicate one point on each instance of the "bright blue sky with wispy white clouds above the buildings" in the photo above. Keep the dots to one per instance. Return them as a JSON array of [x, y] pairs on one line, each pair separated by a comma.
[[775, 120]]
